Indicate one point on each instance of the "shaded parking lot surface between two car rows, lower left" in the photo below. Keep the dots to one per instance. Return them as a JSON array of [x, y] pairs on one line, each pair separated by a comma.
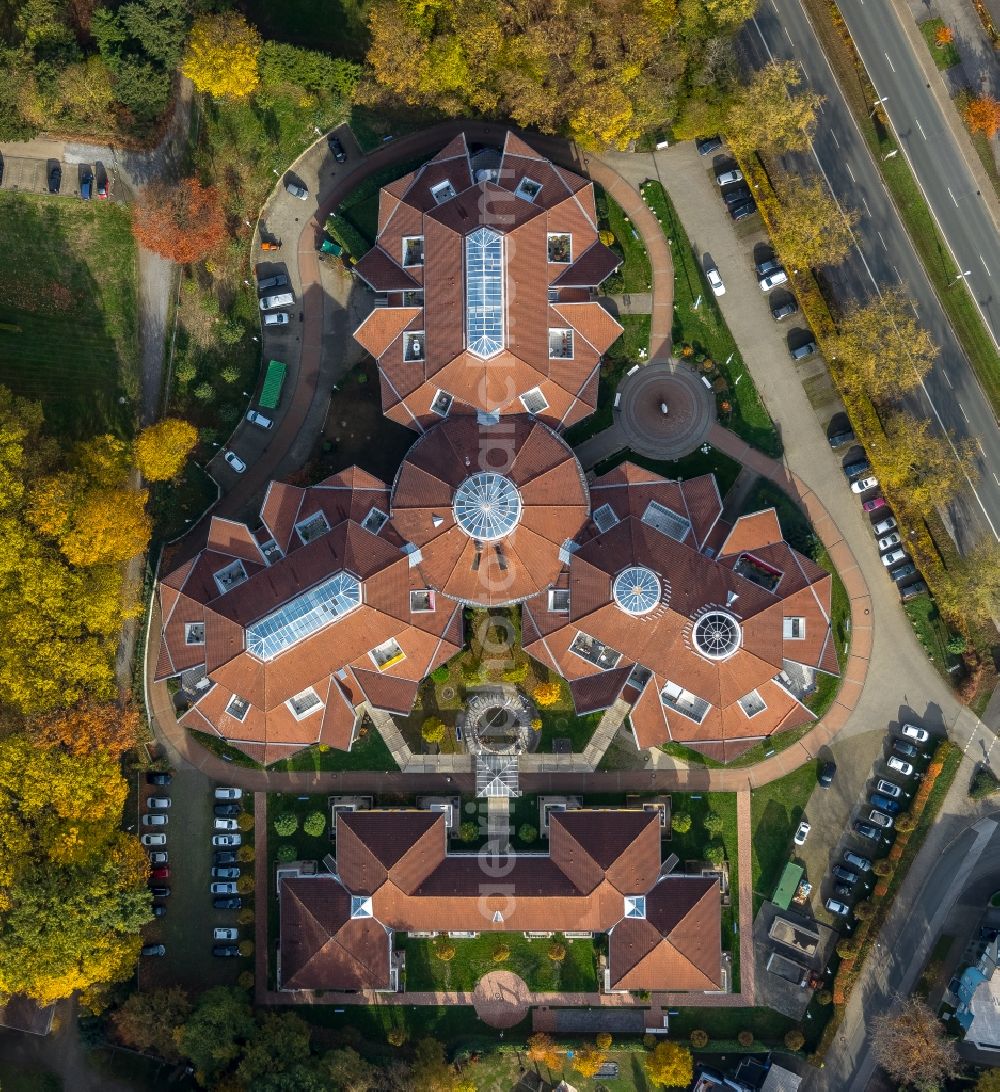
[[187, 928]]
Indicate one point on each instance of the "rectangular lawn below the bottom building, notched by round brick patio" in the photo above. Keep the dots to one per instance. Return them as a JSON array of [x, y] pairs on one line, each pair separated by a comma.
[[529, 959]]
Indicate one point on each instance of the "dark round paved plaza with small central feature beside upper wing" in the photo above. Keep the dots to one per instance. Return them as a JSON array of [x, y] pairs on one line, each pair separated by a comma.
[[691, 406]]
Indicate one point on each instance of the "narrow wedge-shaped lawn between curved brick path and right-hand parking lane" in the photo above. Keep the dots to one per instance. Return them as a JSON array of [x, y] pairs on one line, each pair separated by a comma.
[[707, 334]]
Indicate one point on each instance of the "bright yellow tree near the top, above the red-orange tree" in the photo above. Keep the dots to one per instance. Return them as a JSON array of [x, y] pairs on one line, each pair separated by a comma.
[[222, 57]]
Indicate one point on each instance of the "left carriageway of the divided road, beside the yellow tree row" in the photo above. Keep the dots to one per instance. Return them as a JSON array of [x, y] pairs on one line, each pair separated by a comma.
[[951, 396]]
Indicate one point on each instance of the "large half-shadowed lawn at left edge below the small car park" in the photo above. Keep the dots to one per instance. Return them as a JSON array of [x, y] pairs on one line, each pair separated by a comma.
[[69, 322]]
